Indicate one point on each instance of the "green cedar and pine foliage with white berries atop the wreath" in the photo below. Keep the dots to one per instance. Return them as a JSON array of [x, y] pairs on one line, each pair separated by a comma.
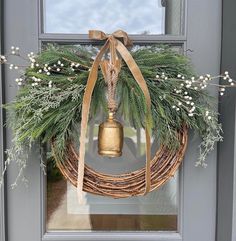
[[48, 105]]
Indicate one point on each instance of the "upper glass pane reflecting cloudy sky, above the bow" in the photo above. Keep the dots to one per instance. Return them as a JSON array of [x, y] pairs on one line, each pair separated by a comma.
[[133, 16]]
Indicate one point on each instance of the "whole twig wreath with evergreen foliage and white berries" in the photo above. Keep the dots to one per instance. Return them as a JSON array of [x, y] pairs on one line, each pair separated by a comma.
[[49, 102]]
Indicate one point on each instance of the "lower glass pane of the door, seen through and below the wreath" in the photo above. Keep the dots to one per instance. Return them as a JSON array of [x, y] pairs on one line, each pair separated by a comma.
[[157, 211]]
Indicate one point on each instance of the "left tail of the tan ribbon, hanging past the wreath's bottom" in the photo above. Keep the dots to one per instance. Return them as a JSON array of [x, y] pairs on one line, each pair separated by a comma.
[[85, 116]]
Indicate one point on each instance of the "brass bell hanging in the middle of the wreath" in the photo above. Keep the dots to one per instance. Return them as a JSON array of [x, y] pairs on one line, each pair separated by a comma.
[[110, 137]]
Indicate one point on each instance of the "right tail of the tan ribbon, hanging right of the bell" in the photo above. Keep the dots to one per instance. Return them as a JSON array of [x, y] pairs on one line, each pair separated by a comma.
[[142, 84]]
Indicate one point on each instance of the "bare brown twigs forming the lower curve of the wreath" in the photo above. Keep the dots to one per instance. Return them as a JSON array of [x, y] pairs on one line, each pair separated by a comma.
[[163, 166]]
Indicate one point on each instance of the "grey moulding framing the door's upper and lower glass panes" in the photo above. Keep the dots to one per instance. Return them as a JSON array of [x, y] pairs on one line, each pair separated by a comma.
[[175, 40]]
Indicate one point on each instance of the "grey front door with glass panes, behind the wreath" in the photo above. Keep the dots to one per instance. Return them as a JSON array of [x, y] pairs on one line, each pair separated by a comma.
[[184, 208]]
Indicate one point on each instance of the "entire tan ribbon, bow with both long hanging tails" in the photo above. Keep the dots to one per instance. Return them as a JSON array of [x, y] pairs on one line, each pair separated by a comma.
[[113, 42]]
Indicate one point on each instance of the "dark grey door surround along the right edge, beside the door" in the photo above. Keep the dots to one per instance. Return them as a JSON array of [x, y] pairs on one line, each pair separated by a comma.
[[226, 223]]
